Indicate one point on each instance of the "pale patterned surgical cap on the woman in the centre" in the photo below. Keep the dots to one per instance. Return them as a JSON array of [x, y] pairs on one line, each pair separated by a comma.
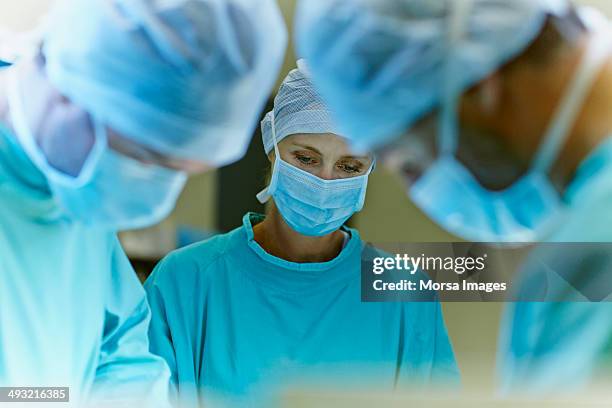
[[298, 108]]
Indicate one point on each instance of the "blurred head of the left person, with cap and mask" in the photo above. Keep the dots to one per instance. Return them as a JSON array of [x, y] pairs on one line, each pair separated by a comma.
[[127, 96]]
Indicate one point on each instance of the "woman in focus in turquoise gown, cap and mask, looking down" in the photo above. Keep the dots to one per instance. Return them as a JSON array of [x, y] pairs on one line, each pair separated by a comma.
[[276, 302]]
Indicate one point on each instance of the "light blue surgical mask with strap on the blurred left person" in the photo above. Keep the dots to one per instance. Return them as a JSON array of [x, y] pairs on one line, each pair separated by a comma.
[[111, 191]]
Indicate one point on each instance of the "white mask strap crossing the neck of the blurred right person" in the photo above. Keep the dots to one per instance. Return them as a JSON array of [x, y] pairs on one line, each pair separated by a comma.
[[570, 106]]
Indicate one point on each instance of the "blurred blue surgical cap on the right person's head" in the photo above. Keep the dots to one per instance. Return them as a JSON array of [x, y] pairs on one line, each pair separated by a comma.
[[381, 64]]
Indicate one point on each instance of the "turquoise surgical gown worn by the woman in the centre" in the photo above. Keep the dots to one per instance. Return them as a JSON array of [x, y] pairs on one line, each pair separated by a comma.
[[235, 324]]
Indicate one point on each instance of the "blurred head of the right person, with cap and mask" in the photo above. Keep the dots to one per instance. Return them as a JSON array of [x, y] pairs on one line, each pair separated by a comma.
[[474, 101]]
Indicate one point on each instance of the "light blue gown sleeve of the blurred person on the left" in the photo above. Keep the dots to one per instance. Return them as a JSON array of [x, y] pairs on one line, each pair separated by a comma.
[[127, 373]]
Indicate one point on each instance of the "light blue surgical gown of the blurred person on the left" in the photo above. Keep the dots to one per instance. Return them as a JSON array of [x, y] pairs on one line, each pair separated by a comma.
[[72, 312]]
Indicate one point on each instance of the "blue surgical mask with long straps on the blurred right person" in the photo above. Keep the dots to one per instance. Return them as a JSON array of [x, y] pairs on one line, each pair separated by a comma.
[[528, 210]]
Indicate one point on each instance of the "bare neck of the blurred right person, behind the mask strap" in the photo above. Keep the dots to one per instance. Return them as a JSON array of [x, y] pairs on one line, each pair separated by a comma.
[[593, 126]]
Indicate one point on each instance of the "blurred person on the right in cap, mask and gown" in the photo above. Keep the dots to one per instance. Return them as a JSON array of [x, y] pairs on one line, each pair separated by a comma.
[[497, 113]]
